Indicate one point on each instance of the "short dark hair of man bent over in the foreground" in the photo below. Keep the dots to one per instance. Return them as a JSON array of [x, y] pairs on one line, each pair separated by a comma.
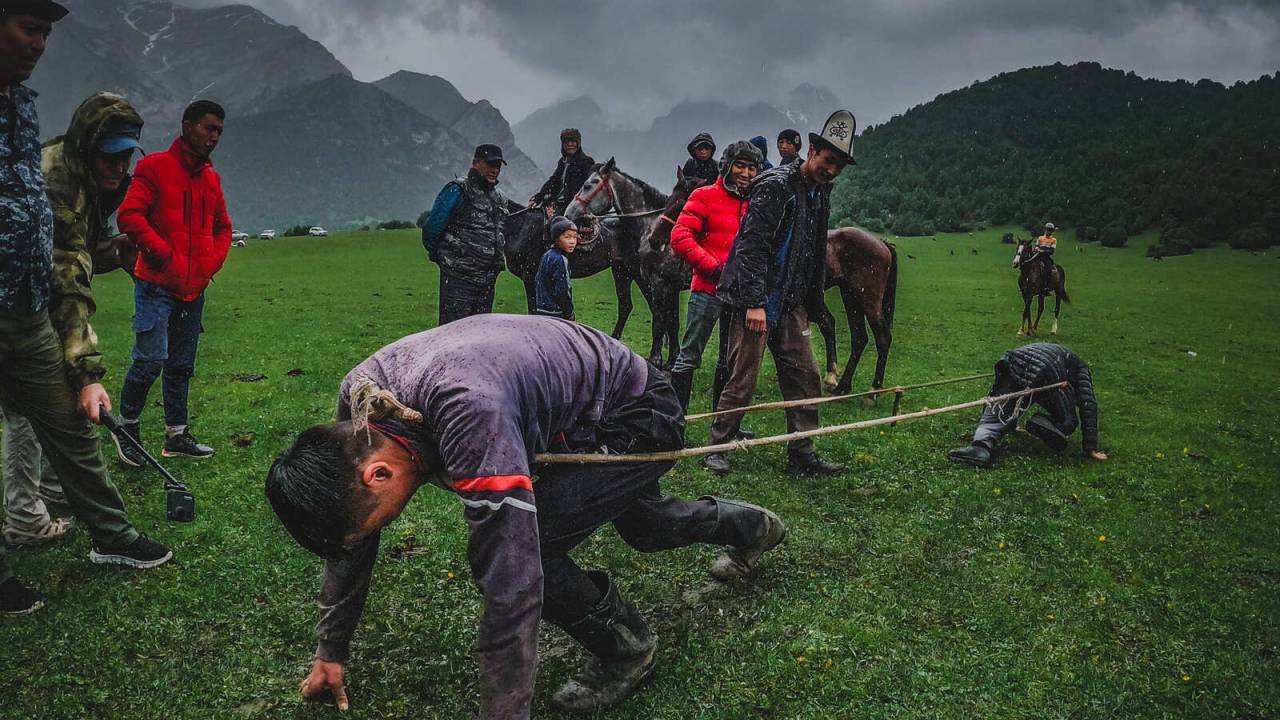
[[314, 486]]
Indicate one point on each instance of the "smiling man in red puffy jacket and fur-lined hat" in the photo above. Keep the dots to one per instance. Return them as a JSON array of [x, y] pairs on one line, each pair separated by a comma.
[[702, 238]]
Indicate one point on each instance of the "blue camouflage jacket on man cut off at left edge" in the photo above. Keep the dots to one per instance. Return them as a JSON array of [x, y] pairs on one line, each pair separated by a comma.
[[26, 222]]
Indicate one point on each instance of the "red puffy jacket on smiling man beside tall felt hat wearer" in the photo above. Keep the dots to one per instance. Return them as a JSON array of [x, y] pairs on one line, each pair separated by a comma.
[[705, 233]]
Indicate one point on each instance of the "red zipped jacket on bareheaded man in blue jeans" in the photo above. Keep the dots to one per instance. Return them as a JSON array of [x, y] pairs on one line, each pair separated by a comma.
[[176, 215]]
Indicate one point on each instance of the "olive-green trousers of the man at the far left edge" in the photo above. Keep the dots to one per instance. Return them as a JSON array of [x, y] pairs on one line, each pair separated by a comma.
[[34, 382]]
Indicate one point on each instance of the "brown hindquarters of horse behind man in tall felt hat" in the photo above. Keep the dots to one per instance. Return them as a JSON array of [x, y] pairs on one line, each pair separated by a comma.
[[865, 268]]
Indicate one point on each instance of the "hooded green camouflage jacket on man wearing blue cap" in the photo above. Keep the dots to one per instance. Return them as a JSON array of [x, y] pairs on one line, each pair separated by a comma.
[[81, 216]]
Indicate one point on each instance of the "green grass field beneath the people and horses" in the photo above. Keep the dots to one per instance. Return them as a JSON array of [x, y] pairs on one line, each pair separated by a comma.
[[1049, 587]]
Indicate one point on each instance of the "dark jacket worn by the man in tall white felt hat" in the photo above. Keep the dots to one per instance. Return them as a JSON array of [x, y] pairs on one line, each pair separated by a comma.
[[778, 261]]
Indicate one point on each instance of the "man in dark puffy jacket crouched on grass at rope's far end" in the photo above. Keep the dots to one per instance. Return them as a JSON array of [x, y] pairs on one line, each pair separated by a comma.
[[1039, 366]]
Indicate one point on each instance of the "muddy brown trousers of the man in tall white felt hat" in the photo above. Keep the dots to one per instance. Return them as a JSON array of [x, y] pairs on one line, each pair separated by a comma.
[[789, 341]]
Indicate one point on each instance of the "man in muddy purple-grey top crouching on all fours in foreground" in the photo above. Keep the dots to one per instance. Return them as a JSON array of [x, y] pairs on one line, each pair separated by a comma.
[[476, 402]]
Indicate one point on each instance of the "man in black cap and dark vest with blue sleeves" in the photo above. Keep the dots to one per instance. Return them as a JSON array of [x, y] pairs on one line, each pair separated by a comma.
[[464, 235]]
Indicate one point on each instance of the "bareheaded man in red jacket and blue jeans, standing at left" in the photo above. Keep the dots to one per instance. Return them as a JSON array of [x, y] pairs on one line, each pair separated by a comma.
[[176, 215]]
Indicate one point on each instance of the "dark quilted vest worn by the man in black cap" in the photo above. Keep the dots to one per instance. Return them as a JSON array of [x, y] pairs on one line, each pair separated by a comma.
[[472, 247]]
